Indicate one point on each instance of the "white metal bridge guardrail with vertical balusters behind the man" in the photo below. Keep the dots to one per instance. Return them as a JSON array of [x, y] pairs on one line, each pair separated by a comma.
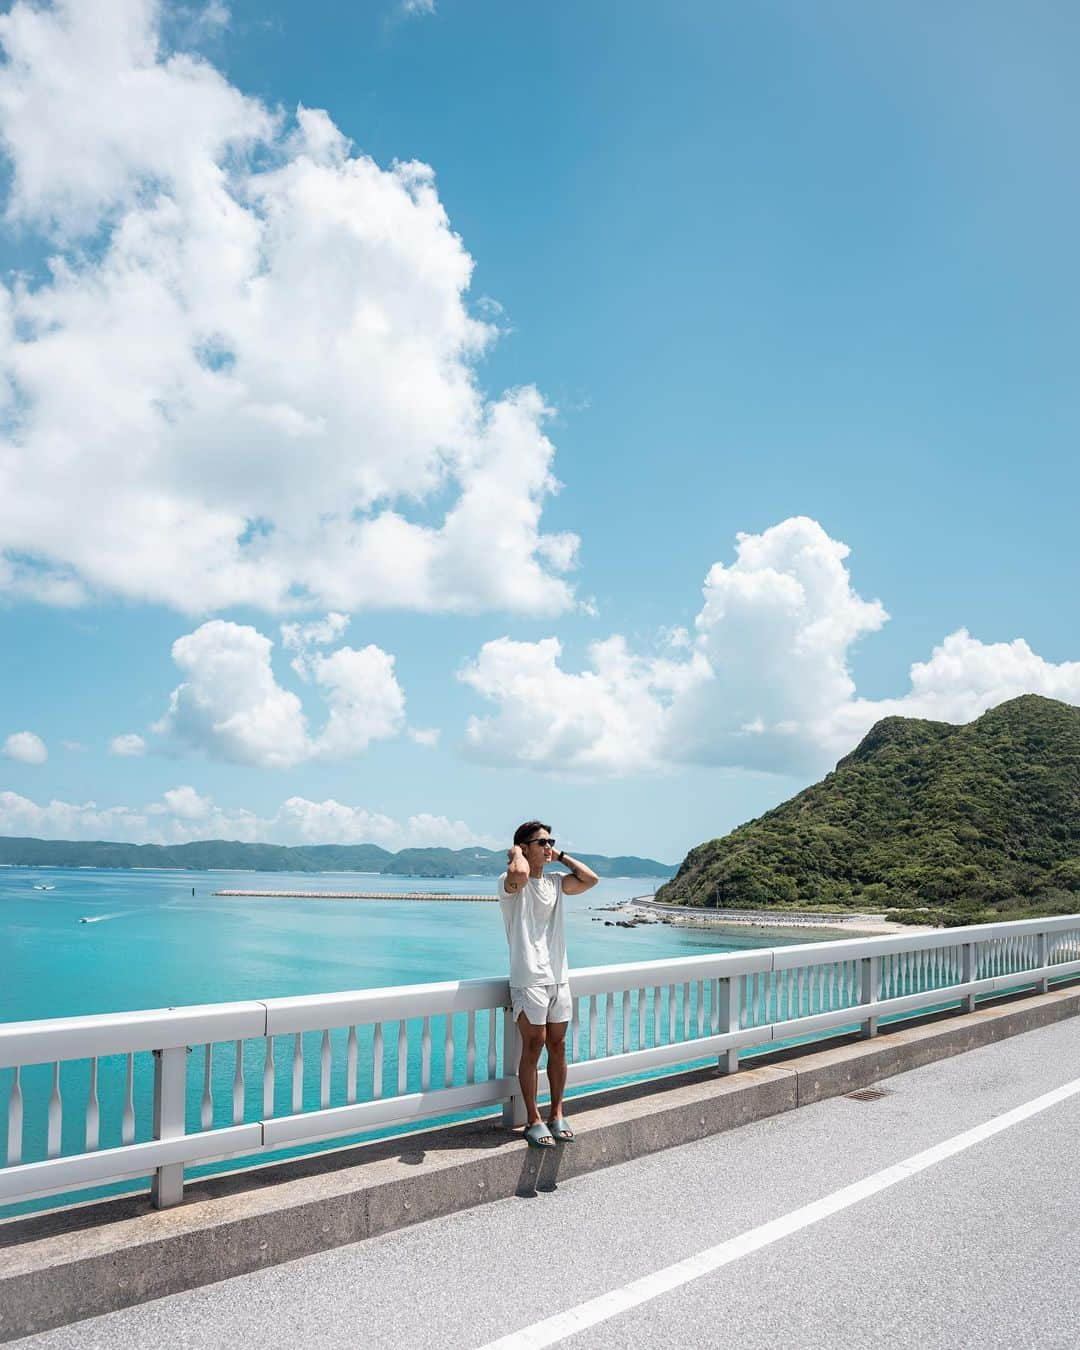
[[129, 1096]]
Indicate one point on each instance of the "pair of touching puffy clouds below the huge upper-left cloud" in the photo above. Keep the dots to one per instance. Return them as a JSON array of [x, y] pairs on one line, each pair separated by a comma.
[[232, 705]]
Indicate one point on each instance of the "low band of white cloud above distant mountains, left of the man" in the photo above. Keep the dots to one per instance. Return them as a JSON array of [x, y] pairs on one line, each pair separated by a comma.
[[184, 815]]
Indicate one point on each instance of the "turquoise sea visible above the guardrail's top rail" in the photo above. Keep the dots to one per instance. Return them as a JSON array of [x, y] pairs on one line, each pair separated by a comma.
[[161, 939]]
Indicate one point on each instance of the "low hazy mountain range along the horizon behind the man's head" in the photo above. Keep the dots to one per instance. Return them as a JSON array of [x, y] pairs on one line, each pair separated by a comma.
[[273, 858]]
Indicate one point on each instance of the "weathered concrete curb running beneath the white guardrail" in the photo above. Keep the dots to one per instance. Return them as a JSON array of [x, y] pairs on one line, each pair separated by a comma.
[[87, 1260]]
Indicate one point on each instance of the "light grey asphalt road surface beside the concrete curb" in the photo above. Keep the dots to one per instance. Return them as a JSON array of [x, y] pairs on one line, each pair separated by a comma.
[[978, 1249]]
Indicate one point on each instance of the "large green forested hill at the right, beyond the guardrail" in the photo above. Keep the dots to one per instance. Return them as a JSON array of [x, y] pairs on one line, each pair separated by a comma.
[[969, 823]]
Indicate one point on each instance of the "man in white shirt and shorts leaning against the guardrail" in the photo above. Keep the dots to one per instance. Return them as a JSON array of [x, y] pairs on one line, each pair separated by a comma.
[[533, 912]]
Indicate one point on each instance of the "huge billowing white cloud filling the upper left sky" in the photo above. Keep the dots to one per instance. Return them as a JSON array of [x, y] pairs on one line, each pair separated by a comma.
[[248, 376]]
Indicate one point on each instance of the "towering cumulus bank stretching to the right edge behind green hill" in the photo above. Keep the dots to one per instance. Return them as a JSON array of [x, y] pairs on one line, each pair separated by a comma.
[[763, 684]]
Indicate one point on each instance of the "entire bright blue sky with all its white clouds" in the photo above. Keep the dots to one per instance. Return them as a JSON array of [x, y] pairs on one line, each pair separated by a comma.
[[803, 276]]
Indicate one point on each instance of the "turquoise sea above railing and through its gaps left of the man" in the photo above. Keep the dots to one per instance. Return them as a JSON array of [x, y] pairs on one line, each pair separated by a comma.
[[163, 939]]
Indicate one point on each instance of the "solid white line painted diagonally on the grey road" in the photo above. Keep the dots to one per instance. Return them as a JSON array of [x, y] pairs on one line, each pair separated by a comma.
[[553, 1330]]
